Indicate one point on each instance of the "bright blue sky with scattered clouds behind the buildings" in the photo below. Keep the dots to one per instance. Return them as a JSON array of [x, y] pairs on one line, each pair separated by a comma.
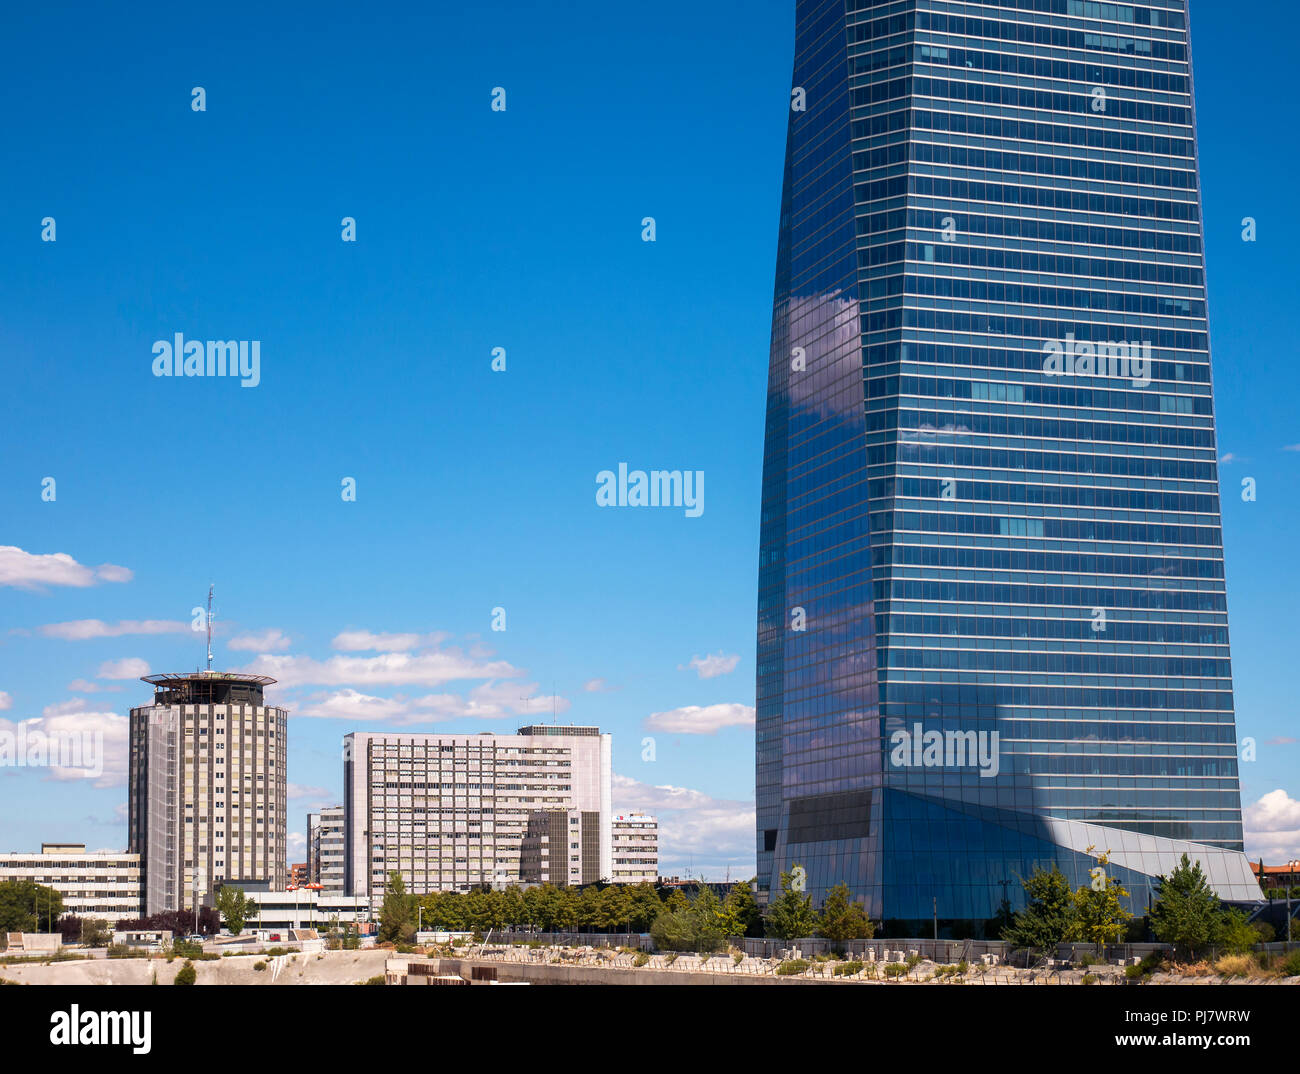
[[475, 491]]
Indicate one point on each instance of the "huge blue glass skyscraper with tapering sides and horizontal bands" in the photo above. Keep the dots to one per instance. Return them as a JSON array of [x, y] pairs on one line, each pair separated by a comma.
[[993, 621]]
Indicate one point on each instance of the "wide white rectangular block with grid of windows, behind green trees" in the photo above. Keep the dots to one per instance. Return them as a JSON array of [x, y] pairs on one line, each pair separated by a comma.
[[450, 812]]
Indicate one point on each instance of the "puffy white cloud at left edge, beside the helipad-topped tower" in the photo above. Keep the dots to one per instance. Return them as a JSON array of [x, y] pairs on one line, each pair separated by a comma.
[[71, 744]]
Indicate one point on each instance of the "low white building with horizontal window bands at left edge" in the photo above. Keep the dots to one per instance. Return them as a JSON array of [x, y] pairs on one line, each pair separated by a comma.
[[99, 885]]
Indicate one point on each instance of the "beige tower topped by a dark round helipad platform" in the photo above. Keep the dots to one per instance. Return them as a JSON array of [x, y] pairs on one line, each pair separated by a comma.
[[207, 792]]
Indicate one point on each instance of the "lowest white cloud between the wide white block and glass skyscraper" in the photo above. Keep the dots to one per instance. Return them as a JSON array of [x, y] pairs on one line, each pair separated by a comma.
[[696, 832]]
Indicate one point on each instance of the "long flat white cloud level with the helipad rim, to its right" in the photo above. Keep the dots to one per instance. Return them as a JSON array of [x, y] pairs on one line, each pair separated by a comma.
[[431, 669]]
